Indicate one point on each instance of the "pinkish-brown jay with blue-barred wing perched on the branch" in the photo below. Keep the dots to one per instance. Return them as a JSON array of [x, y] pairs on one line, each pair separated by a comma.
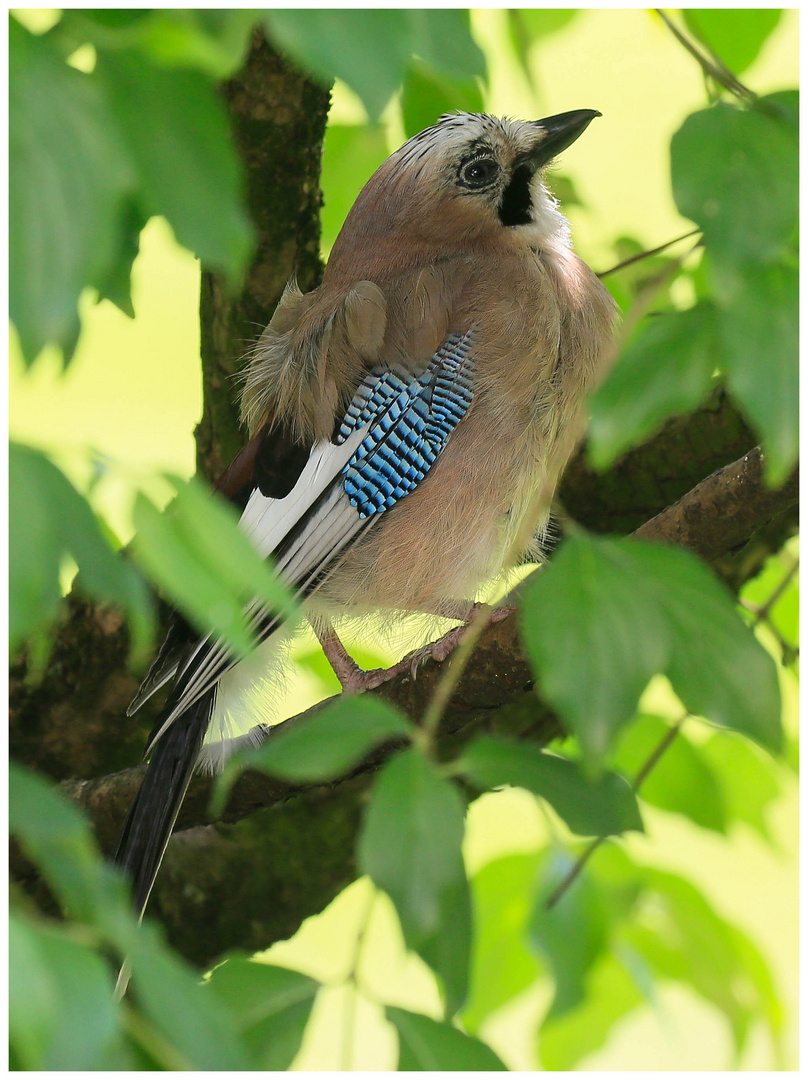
[[426, 397]]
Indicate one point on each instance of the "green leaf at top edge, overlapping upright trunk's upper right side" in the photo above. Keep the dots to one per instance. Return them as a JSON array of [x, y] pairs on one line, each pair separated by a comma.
[[368, 49]]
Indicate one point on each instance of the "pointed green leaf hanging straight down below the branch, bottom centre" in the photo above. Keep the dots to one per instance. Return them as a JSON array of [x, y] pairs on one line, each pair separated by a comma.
[[411, 847]]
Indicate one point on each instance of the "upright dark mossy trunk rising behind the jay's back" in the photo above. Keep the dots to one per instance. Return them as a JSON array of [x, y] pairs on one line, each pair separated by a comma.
[[279, 123]]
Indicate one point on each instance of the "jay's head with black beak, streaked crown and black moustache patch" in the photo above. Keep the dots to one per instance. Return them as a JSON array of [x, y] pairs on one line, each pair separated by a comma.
[[468, 179]]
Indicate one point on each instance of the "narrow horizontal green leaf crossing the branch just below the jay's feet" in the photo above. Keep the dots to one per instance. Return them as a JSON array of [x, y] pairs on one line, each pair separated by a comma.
[[330, 744]]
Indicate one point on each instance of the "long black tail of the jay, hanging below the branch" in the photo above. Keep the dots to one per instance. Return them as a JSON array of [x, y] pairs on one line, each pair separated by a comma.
[[152, 817]]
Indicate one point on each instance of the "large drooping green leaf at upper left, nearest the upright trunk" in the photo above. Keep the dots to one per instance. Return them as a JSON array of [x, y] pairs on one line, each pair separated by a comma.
[[176, 128]]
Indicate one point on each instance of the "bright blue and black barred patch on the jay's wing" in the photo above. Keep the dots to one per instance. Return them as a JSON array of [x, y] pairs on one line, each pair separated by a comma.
[[410, 421]]
